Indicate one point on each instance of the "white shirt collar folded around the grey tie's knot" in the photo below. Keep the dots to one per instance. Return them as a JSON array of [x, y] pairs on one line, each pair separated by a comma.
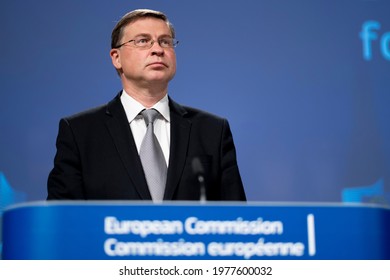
[[133, 107]]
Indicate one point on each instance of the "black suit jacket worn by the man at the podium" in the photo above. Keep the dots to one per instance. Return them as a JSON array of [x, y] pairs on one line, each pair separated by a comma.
[[97, 157]]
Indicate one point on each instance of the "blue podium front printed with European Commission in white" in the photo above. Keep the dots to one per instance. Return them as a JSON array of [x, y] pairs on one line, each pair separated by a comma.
[[242, 231]]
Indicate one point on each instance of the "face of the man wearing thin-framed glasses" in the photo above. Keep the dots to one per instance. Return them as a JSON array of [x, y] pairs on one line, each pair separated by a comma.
[[145, 66]]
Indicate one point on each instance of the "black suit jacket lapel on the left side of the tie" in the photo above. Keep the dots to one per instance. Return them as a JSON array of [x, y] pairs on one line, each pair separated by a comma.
[[120, 132]]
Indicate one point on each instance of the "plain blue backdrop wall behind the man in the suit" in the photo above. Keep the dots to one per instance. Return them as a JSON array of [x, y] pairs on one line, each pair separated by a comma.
[[309, 115]]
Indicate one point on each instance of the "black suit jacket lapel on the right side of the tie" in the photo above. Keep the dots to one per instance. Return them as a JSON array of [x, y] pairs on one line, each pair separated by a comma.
[[180, 135]]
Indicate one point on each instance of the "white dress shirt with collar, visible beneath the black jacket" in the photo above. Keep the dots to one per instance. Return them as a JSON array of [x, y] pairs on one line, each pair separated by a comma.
[[162, 126]]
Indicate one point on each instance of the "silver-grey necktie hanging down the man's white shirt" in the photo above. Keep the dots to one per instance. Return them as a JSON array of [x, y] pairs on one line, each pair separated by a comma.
[[152, 158]]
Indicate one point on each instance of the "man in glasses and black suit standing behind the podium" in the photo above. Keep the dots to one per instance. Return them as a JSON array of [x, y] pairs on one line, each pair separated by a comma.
[[98, 150]]
